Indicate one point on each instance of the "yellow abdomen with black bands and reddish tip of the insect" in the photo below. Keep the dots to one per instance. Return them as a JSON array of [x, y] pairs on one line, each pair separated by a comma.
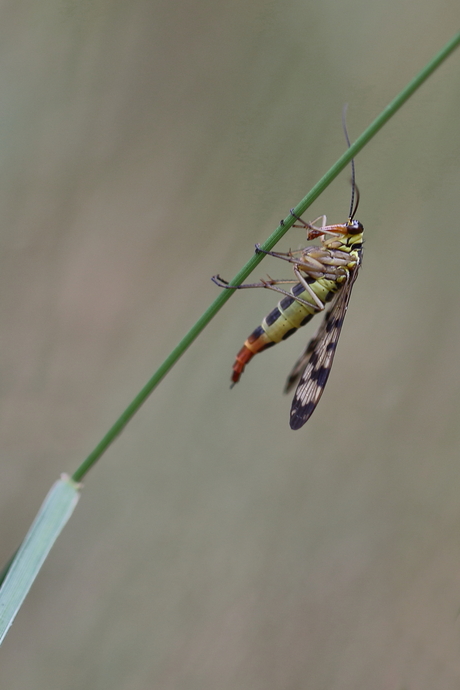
[[282, 321]]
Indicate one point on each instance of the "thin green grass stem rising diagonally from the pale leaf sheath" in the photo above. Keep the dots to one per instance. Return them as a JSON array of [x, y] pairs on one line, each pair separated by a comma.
[[218, 303]]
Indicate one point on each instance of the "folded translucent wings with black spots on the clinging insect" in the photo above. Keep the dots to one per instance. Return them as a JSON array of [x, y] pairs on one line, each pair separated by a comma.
[[314, 365]]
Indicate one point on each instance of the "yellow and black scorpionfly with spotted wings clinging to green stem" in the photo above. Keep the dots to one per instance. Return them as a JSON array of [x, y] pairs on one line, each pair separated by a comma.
[[323, 273]]
